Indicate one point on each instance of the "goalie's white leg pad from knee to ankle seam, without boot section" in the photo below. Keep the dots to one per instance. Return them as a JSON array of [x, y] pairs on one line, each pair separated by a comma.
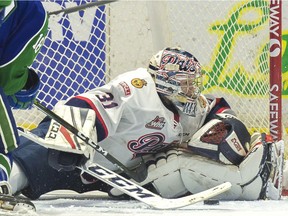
[[179, 173]]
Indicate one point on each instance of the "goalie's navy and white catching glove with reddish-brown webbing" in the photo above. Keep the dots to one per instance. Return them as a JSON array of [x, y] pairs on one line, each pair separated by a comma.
[[225, 139]]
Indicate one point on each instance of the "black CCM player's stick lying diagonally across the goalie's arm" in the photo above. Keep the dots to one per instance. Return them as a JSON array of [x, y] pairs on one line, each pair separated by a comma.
[[138, 175]]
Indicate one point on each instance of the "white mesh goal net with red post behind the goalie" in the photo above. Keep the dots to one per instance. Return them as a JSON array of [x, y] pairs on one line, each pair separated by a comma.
[[230, 39]]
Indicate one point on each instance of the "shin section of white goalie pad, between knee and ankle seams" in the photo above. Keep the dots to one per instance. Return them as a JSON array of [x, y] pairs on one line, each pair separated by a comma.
[[199, 173]]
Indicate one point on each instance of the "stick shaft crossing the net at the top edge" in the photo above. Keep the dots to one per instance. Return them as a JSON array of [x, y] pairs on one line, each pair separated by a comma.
[[81, 7]]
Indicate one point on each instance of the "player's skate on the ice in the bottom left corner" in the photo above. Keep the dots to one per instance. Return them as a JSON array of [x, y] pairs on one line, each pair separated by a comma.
[[16, 204]]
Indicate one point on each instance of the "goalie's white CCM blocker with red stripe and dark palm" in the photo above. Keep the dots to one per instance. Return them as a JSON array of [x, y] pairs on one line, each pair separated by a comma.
[[64, 142]]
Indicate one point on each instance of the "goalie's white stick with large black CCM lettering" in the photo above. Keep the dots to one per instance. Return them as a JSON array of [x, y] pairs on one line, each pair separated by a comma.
[[136, 191]]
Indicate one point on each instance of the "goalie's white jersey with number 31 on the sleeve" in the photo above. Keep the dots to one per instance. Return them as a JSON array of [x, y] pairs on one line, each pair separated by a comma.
[[132, 120]]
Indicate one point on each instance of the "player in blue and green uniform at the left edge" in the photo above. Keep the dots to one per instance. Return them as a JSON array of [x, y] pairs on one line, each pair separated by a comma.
[[23, 27]]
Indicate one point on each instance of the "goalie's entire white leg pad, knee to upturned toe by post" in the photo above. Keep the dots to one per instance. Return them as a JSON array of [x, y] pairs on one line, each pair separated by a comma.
[[198, 173]]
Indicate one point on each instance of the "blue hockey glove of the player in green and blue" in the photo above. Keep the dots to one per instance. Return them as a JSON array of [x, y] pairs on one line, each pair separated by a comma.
[[24, 98]]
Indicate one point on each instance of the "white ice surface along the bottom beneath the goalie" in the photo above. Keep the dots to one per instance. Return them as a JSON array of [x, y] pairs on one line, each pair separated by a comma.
[[98, 204]]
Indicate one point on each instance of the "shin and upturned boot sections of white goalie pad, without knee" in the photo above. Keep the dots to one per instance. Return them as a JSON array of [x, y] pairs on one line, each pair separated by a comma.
[[200, 173]]
